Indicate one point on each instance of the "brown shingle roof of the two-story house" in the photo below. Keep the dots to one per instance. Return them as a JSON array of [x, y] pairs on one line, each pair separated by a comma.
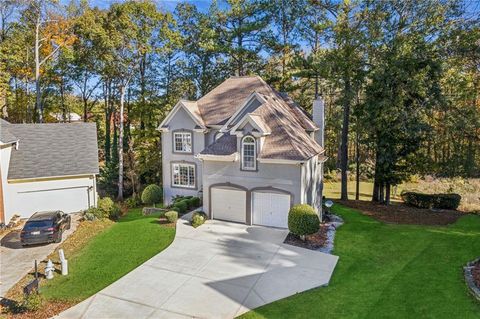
[[289, 126]]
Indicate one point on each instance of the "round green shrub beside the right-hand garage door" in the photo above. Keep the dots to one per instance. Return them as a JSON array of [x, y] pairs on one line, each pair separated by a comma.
[[303, 220]]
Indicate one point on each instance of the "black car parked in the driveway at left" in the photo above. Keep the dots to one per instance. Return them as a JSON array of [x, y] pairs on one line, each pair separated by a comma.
[[45, 227]]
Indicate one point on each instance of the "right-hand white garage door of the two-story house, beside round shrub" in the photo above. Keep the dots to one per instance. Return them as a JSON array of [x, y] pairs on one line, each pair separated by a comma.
[[271, 209]]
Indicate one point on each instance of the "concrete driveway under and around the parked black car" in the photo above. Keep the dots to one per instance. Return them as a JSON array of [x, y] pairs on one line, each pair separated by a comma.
[[16, 261]]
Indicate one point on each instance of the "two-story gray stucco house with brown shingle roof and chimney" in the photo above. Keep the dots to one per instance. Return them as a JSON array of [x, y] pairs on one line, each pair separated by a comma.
[[250, 151]]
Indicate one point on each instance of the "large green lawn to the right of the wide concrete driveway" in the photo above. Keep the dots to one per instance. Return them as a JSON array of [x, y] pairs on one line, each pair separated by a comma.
[[391, 271]]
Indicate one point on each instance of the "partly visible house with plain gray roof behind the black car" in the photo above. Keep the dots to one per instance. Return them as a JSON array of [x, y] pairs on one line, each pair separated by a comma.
[[47, 167]]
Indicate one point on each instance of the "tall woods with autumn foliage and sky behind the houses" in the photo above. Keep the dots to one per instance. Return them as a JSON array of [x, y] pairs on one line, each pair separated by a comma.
[[400, 78]]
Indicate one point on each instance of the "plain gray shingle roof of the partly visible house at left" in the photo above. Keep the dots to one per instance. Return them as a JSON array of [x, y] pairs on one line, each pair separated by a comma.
[[53, 150]]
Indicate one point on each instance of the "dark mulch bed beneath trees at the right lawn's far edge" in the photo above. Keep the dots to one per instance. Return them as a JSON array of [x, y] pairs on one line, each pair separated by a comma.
[[399, 213]]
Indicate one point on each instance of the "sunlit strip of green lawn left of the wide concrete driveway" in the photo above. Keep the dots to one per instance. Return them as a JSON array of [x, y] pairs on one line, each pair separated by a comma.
[[110, 255]]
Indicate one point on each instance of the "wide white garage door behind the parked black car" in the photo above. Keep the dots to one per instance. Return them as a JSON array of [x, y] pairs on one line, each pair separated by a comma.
[[68, 200]]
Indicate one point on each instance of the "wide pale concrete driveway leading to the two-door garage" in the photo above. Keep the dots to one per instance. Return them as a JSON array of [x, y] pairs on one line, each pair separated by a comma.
[[219, 270]]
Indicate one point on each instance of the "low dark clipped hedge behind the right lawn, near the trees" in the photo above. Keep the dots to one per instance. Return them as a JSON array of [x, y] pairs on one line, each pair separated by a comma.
[[439, 201]]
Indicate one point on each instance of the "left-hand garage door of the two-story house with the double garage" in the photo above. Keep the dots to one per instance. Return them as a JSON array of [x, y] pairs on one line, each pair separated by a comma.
[[229, 204]]
